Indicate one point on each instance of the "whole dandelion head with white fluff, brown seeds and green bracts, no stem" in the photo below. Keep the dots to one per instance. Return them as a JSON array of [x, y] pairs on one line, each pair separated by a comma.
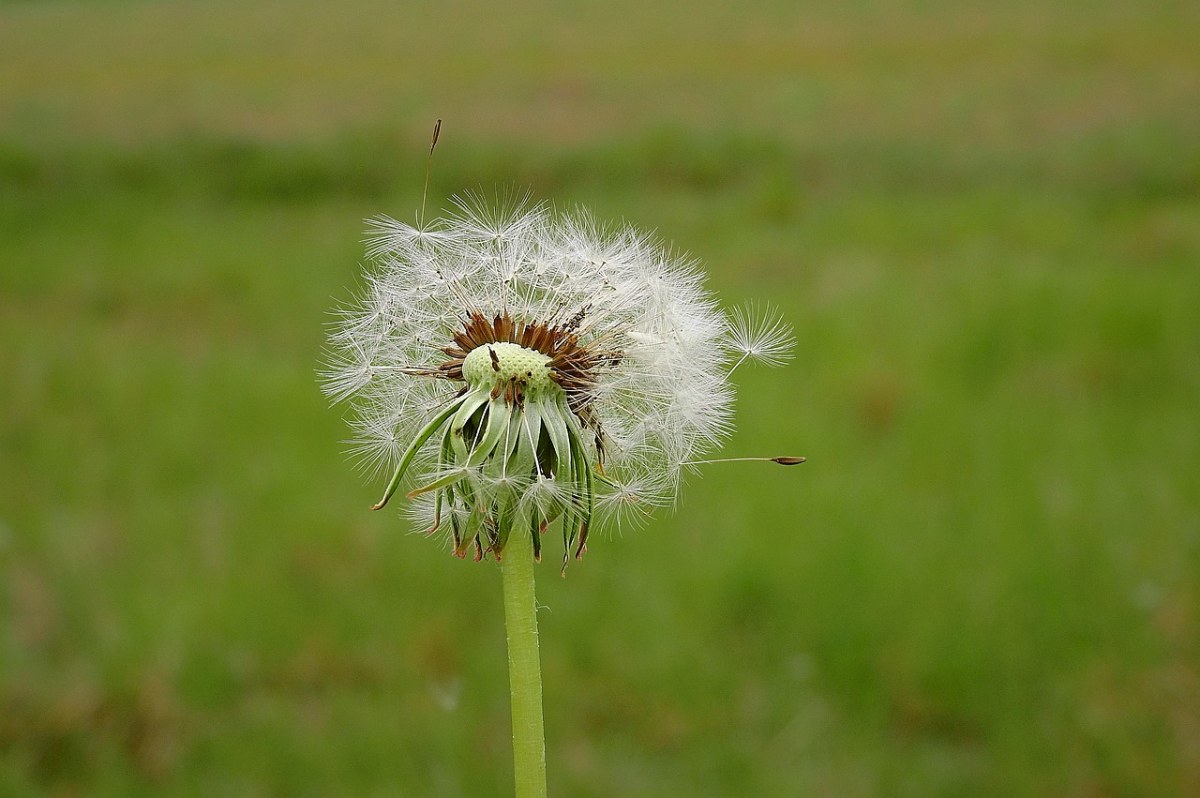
[[526, 369]]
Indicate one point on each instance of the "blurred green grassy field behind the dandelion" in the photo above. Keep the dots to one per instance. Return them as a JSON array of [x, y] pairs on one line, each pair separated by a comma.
[[983, 220]]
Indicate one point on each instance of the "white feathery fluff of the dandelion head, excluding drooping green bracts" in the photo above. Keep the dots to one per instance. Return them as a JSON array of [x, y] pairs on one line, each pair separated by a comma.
[[658, 393]]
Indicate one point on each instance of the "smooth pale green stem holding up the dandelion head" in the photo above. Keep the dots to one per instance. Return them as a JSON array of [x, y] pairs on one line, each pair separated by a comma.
[[525, 668]]
